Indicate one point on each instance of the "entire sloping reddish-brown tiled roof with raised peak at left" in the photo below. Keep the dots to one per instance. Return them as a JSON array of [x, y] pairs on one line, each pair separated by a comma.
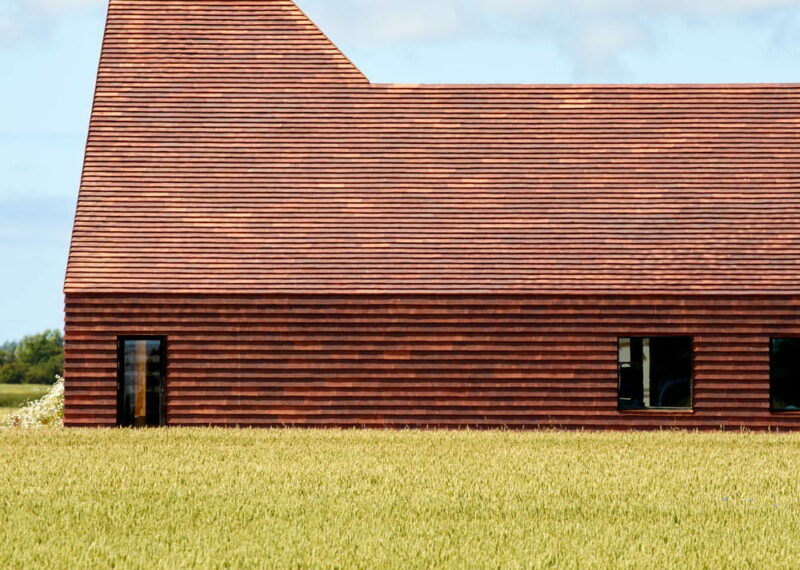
[[233, 148]]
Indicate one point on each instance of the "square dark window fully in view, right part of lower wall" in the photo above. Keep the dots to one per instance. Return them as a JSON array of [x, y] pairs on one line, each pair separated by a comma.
[[655, 372]]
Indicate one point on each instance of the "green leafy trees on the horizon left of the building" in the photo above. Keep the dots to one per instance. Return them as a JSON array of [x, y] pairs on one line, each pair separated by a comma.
[[36, 359]]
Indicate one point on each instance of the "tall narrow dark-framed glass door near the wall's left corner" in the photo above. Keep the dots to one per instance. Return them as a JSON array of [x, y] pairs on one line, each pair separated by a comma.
[[142, 381]]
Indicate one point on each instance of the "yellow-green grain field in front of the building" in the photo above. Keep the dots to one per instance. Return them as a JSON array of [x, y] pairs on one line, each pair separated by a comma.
[[331, 499]]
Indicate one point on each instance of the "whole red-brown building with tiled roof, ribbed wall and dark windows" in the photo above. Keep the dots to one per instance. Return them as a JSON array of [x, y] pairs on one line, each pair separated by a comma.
[[264, 238]]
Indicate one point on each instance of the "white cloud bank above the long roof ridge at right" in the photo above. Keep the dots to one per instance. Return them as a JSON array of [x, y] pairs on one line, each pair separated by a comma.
[[594, 34]]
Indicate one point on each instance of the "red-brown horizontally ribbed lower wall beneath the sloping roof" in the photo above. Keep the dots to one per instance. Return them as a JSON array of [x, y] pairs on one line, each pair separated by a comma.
[[424, 360]]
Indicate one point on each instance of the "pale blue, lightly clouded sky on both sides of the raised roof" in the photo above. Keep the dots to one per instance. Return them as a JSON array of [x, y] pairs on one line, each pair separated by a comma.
[[49, 51]]
